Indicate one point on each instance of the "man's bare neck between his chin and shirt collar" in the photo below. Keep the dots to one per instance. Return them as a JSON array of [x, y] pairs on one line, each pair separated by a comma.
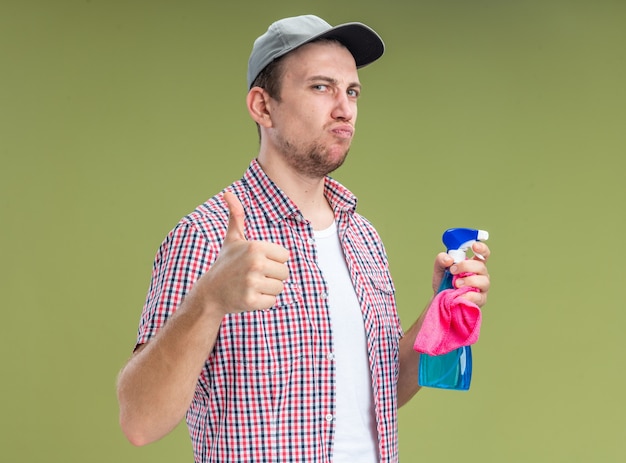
[[306, 193]]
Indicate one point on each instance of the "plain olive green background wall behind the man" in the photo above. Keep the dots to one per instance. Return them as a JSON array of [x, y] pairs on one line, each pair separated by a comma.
[[119, 117]]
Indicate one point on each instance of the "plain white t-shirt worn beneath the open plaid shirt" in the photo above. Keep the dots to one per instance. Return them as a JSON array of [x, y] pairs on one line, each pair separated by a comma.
[[356, 438]]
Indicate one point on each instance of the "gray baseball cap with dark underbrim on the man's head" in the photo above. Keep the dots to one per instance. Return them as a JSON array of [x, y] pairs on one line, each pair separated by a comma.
[[288, 34]]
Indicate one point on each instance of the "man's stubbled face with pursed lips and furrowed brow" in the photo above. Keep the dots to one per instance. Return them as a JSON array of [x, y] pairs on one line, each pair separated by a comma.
[[313, 123]]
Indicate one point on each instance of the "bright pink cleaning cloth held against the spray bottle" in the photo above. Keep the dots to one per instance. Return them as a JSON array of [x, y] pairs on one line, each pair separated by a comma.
[[451, 321]]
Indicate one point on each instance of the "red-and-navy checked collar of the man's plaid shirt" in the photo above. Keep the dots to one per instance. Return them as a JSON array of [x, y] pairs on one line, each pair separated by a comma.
[[277, 206]]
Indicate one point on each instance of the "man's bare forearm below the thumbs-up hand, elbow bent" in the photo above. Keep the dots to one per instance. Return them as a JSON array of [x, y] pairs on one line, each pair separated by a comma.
[[156, 386]]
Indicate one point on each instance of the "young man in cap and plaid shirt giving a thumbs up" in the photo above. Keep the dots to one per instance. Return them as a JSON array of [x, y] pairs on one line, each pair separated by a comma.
[[270, 320]]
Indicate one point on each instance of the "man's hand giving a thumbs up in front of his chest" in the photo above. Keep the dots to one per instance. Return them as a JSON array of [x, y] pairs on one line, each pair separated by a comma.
[[247, 275]]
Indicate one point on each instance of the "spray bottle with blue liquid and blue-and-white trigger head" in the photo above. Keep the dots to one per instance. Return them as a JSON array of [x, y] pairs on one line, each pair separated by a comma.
[[454, 369]]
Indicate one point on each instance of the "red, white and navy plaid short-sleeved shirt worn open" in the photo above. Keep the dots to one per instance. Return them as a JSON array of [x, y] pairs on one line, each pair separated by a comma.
[[266, 392]]
